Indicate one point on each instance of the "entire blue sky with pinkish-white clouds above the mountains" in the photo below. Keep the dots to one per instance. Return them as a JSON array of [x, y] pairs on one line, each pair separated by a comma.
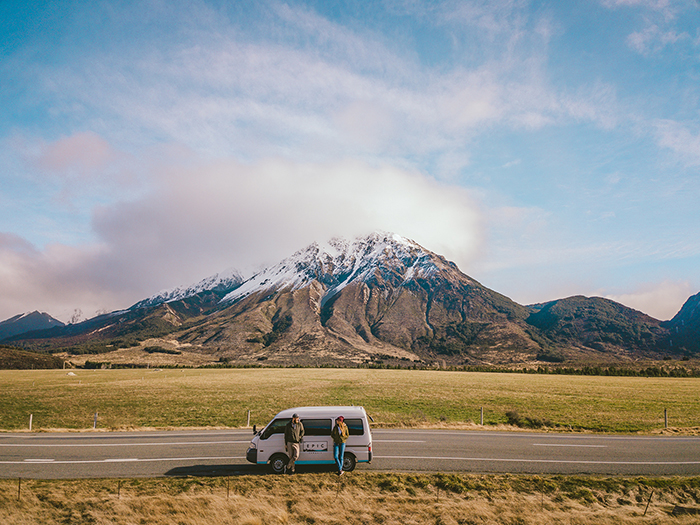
[[548, 148]]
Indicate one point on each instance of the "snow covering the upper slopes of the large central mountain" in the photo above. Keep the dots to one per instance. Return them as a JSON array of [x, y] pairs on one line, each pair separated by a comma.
[[338, 262]]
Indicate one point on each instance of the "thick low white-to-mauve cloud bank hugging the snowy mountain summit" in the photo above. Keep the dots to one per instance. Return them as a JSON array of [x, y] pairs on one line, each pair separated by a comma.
[[206, 217]]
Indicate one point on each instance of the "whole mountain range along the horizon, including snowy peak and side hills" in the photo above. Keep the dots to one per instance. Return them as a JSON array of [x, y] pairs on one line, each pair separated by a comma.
[[372, 300]]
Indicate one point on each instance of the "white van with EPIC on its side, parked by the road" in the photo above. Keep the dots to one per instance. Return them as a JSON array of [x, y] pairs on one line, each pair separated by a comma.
[[317, 446]]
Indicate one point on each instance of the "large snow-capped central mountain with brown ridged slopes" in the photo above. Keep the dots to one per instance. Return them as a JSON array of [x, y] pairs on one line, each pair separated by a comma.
[[378, 294]]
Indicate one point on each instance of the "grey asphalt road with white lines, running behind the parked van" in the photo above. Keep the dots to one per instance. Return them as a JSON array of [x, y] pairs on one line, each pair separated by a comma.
[[222, 453]]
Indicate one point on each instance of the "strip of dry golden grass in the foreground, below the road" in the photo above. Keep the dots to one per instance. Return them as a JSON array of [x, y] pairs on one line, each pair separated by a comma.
[[353, 499]]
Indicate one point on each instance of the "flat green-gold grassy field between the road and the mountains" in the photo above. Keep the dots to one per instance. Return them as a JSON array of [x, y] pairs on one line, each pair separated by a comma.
[[173, 398]]
